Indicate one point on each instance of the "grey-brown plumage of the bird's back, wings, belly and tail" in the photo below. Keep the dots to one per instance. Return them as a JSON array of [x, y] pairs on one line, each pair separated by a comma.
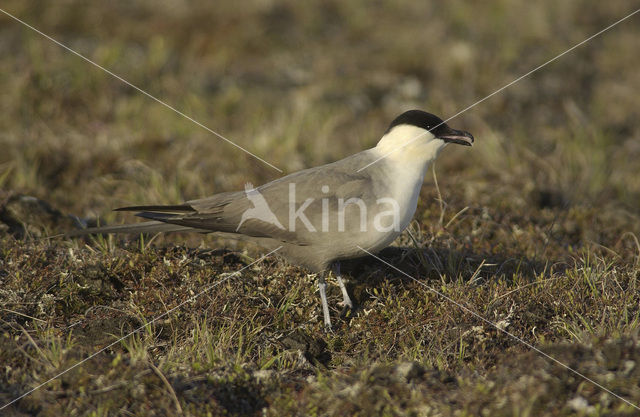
[[313, 250]]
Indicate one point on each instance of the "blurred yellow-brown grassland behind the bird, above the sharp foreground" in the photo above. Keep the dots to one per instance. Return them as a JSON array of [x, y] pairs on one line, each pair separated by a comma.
[[303, 84]]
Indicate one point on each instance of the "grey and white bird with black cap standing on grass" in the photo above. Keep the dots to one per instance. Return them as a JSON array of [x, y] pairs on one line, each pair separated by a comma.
[[319, 216]]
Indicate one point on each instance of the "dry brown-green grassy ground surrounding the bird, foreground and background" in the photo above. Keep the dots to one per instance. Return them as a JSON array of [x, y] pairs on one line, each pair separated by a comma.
[[537, 229]]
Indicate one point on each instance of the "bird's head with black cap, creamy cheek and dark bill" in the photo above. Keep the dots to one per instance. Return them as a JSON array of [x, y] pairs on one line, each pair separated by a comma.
[[416, 134]]
